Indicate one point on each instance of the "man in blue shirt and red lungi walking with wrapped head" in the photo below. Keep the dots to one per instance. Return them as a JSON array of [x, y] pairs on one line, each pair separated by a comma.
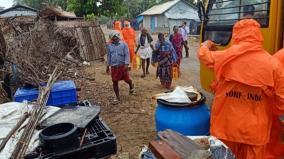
[[118, 59]]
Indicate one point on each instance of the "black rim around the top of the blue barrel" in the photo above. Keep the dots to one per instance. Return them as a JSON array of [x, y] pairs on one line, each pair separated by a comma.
[[202, 100]]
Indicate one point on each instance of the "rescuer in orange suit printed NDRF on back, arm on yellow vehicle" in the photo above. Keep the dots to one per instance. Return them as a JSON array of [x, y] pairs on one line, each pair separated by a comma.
[[248, 87]]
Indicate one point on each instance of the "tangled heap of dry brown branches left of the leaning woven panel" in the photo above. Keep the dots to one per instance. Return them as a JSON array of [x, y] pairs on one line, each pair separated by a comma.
[[37, 51]]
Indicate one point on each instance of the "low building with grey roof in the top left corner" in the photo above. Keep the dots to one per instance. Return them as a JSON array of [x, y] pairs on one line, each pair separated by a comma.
[[19, 10]]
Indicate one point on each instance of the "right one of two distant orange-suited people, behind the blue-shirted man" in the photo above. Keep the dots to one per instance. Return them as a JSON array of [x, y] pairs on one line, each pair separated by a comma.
[[130, 38]]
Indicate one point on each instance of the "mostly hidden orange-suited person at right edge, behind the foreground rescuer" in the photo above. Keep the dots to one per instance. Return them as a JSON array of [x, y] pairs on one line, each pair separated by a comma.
[[275, 148]]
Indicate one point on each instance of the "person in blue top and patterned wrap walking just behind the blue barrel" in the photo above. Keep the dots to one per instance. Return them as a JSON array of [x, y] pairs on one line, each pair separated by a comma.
[[164, 54]]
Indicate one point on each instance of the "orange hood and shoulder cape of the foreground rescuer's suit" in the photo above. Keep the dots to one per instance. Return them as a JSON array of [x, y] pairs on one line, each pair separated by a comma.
[[246, 61]]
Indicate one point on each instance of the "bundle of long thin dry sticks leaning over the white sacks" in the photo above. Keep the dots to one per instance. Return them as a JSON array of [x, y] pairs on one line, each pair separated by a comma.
[[36, 115]]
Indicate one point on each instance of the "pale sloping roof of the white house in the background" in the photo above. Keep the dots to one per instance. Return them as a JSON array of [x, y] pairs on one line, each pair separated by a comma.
[[160, 9]]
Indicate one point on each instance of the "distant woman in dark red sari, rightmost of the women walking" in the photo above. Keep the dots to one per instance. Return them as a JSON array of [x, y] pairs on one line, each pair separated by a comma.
[[177, 41]]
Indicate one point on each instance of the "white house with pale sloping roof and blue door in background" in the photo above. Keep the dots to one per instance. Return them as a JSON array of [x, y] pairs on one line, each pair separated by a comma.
[[163, 17]]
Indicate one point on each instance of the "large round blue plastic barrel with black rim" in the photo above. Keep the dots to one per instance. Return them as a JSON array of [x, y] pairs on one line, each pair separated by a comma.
[[189, 120]]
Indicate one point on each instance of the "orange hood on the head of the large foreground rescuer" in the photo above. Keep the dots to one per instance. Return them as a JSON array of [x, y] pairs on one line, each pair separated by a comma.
[[247, 30]]
